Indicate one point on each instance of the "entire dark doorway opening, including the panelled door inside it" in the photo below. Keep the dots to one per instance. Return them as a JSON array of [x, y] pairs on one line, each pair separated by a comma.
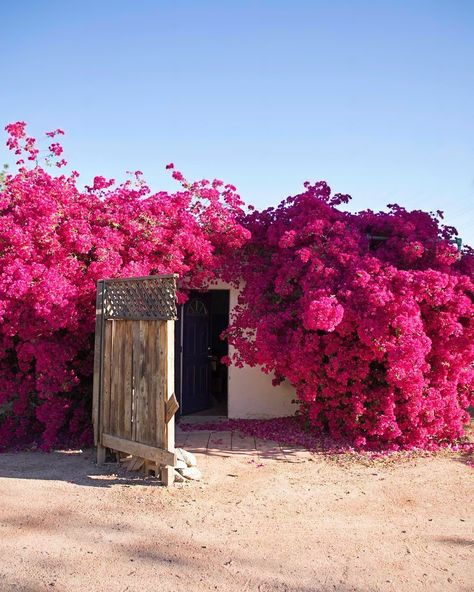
[[201, 378]]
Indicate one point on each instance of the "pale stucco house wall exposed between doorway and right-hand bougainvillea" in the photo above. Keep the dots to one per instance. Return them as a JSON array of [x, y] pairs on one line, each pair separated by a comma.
[[251, 394]]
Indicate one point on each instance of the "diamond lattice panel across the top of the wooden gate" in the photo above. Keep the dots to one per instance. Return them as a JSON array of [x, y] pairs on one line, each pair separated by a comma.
[[150, 298]]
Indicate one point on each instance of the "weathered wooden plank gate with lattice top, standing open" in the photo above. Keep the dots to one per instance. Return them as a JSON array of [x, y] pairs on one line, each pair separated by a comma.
[[133, 399]]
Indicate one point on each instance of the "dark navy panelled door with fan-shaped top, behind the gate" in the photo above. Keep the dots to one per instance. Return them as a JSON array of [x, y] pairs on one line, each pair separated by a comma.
[[196, 383]]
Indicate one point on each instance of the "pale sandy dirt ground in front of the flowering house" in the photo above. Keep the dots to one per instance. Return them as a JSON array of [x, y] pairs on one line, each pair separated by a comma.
[[264, 520]]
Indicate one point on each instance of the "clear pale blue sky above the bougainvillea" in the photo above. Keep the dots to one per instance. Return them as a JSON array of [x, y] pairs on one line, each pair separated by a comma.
[[375, 97]]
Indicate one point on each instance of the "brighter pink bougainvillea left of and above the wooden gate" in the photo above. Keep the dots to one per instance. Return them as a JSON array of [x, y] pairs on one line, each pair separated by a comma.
[[56, 241]]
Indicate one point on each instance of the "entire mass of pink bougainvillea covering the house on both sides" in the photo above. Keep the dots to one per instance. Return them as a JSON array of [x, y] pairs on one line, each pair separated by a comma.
[[369, 315]]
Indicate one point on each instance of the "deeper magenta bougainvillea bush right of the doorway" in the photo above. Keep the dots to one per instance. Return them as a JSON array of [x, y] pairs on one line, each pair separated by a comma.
[[369, 316]]
